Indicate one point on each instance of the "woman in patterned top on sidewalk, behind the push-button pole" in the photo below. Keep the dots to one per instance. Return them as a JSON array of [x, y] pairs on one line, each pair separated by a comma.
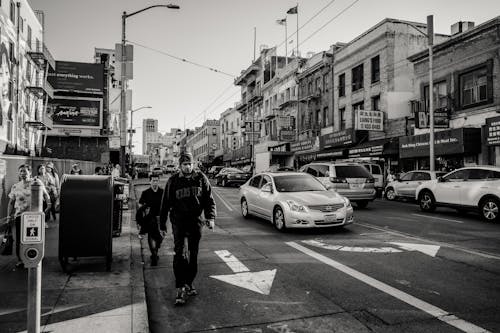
[[20, 201]]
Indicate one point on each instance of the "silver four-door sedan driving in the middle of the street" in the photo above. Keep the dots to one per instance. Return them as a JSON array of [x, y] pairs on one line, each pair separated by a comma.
[[294, 200]]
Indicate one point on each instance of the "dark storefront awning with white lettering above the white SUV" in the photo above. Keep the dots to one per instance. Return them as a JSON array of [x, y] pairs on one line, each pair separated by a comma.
[[448, 142]]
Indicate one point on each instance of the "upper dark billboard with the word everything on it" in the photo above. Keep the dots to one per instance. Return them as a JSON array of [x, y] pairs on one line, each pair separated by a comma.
[[77, 77]]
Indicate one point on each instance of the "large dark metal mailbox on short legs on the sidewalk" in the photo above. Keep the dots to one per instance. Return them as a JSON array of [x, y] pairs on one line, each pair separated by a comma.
[[86, 218]]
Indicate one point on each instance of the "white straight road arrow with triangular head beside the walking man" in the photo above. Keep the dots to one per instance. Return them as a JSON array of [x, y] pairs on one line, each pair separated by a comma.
[[260, 282]]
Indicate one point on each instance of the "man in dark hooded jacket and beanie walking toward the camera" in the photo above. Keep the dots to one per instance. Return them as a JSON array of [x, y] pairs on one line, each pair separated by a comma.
[[187, 194]]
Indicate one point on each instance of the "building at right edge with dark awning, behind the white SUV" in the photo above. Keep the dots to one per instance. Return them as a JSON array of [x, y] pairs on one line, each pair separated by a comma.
[[466, 95]]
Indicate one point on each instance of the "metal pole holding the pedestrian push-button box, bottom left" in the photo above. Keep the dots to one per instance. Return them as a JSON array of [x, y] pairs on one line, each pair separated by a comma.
[[35, 273]]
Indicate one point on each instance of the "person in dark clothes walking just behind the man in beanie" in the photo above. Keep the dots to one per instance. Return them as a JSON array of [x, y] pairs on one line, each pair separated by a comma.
[[148, 216]]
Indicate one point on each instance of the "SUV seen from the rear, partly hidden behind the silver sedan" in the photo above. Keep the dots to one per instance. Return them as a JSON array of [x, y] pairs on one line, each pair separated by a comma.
[[351, 180]]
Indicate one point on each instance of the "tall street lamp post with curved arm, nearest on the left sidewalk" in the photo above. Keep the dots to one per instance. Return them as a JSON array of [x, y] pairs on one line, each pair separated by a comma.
[[123, 112]]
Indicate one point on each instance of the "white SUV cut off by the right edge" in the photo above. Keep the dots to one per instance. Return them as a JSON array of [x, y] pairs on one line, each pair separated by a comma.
[[469, 188]]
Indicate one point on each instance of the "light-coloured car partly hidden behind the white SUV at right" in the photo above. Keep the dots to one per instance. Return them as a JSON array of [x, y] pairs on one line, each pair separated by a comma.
[[405, 186]]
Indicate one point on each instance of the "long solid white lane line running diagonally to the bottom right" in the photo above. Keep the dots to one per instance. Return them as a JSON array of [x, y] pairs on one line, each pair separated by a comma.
[[432, 310]]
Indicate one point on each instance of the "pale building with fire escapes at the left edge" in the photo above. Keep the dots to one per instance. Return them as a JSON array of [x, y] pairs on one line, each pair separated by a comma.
[[25, 62]]
